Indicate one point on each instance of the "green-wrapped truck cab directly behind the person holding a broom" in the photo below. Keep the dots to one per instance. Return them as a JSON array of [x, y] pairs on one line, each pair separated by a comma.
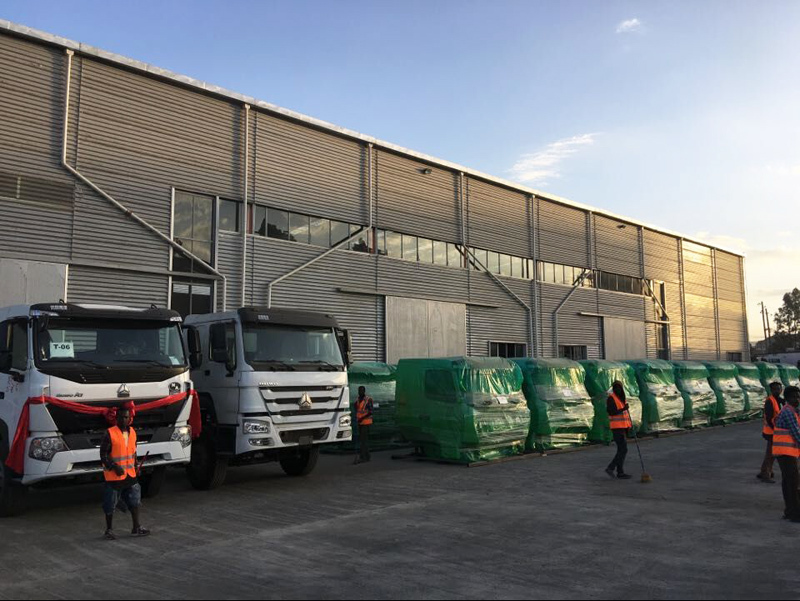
[[600, 375]]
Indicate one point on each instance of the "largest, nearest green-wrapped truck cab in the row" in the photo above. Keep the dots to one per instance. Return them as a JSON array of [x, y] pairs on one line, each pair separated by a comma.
[[463, 409]]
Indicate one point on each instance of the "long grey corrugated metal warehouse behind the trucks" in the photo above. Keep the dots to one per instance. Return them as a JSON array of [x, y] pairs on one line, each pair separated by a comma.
[[124, 183]]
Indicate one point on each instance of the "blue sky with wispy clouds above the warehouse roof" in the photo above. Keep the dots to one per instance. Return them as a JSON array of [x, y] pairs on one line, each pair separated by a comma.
[[684, 115]]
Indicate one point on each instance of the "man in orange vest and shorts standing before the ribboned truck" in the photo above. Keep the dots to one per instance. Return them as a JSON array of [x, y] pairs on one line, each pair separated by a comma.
[[118, 456]]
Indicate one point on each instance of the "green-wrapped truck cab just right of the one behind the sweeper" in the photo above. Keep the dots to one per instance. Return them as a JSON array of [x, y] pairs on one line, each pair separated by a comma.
[[662, 403]]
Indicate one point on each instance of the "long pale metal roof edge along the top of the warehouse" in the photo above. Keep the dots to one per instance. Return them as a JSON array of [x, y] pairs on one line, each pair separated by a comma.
[[85, 49]]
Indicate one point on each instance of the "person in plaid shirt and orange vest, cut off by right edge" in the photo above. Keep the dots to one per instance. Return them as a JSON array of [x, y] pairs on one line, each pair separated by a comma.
[[786, 448]]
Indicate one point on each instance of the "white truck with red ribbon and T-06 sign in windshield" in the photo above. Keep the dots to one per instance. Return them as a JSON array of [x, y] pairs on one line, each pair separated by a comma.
[[60, 360]]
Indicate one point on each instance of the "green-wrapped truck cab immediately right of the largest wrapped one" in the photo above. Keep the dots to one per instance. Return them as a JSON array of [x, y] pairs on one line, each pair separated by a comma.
[[561, 409]]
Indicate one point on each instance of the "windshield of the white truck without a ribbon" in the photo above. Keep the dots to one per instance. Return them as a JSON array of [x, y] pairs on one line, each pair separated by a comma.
[[291, 348]]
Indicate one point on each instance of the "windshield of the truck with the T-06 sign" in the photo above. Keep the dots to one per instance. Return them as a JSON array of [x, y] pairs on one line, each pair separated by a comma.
[[111, 343]]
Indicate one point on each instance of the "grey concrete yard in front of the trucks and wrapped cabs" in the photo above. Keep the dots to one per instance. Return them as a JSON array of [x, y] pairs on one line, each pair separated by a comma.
[[549, 527]]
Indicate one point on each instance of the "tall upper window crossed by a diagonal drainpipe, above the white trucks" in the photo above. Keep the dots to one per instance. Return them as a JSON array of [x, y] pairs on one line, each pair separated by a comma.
[[192, 228]]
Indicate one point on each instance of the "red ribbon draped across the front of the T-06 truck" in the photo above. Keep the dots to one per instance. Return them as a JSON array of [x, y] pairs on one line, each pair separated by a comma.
[[16, 454]]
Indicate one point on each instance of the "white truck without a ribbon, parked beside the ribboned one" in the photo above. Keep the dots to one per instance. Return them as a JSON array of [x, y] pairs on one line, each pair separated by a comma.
[[273, 387]]
